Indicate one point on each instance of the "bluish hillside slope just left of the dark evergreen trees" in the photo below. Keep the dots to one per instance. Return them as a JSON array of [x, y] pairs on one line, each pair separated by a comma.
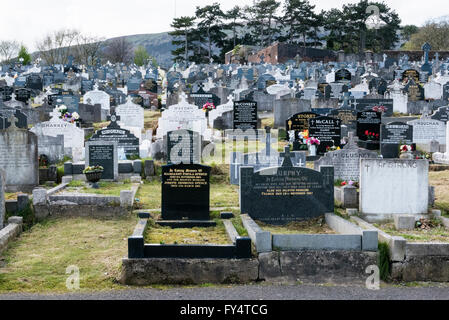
[[158, 45]]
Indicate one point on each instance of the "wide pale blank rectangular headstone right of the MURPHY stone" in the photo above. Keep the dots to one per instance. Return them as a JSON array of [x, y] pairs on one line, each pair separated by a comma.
[[391, 187]]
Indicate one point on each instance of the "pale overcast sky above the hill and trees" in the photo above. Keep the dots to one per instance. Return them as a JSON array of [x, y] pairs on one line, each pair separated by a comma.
[[27, 21]]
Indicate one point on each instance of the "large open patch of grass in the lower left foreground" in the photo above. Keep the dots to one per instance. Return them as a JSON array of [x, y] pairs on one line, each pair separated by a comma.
[[37, 260]]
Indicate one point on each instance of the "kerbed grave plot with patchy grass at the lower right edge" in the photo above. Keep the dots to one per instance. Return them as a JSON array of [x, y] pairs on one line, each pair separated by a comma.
[[417, 247]]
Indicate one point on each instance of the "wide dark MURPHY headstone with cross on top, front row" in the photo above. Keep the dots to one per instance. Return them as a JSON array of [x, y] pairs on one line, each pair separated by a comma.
[[284, 194]]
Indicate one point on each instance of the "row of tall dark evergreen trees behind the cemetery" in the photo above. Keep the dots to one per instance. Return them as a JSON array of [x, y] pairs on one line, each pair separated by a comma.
[[212, 32]]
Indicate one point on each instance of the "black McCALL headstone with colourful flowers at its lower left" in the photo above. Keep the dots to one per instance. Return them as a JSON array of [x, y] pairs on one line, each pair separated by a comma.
[[327, 130]]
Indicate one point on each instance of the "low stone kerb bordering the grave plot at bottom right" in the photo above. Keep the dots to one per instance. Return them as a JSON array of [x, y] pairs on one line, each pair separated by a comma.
[[414, 261]]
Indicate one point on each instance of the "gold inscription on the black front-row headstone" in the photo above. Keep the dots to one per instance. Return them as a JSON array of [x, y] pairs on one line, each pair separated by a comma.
[[185, 178]]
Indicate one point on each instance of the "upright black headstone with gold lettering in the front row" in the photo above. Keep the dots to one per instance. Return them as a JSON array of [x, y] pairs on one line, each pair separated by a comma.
[[185, 192]]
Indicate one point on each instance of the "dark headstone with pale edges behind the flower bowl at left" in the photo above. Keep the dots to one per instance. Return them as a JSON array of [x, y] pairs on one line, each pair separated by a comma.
[[103, 153]]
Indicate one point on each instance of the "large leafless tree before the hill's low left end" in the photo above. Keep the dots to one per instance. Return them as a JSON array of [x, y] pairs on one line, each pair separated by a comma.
[[56, 47]]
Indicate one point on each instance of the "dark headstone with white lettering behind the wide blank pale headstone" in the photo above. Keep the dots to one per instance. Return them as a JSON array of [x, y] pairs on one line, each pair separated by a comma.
[[393, 135]]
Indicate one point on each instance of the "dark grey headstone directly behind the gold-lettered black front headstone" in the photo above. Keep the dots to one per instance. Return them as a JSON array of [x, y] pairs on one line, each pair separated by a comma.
[[183, 146]]
